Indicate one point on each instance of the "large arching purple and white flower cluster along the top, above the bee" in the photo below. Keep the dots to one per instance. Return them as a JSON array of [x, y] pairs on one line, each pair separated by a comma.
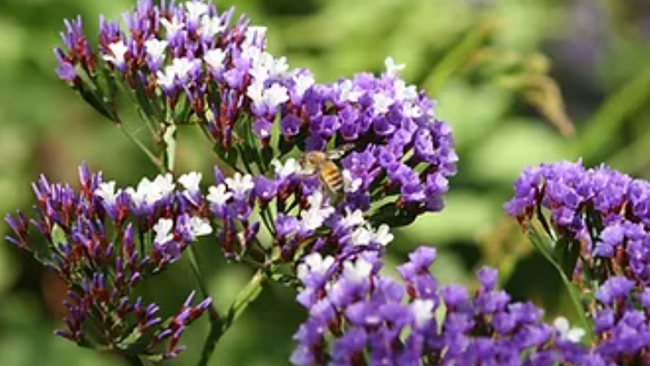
[[186, 61]]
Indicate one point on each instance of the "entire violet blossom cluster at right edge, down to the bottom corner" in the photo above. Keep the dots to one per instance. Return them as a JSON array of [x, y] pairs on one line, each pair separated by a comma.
[[604, 216]]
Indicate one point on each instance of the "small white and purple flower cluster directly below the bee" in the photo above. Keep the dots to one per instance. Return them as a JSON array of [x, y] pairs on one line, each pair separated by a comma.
[[296, 212]]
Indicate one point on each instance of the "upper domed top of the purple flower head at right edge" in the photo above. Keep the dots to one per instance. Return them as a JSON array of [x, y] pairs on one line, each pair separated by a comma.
[[606, 211]]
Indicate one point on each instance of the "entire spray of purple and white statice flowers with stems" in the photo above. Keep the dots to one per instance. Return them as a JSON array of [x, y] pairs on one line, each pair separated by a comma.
[[311, 179]]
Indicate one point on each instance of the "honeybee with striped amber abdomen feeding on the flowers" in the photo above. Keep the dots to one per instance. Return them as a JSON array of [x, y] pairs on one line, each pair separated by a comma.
[[323, 164]]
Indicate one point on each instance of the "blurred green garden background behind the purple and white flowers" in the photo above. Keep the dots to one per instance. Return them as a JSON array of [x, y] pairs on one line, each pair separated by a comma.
[[520, 82]]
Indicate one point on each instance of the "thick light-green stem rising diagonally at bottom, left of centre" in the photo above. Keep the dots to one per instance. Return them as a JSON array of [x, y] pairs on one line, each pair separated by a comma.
[[245, 297]]
